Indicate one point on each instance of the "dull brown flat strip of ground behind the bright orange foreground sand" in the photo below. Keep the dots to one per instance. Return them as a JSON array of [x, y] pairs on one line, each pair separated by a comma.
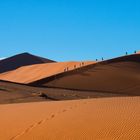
[[20, 93]]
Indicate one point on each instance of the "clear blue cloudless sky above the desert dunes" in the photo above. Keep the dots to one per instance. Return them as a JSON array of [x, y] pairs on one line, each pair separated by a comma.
[[69, 29]]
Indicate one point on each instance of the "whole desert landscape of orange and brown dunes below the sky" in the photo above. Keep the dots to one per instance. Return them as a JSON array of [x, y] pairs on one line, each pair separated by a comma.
[[92, 101]]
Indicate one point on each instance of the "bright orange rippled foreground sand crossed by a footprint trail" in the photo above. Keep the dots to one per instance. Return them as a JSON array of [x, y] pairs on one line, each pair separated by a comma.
[[91, 119]]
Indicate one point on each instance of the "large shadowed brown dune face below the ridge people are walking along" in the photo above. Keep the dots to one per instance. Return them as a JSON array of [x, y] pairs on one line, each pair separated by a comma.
[[119, 75]]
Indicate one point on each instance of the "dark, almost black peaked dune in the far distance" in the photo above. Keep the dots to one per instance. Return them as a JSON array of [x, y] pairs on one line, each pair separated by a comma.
[[19, 60]]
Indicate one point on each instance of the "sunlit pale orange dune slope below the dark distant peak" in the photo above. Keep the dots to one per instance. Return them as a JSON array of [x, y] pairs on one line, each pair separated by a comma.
[[28, 74]]
